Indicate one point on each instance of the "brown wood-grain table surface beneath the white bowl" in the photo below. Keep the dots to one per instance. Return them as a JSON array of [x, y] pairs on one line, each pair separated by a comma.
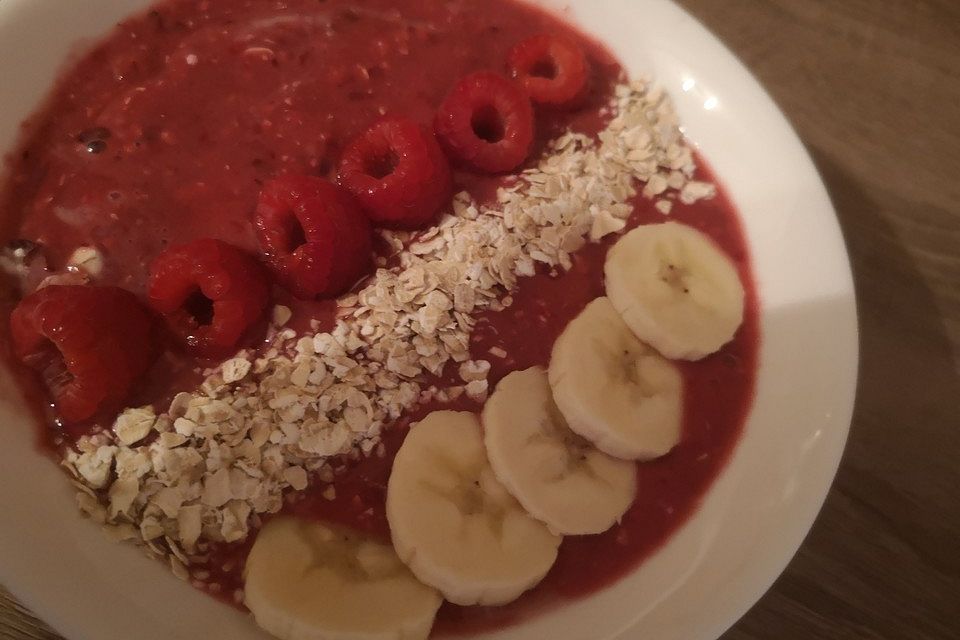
[[874, 91]]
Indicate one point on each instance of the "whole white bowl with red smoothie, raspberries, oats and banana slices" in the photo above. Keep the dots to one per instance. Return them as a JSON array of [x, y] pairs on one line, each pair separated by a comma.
[[402, 319]]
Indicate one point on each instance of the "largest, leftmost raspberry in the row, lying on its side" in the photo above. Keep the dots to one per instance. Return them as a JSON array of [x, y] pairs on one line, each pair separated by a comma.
[[90, 345]]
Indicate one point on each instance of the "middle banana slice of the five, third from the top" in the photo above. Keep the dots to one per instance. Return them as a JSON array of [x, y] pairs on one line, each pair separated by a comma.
[[558, 477]]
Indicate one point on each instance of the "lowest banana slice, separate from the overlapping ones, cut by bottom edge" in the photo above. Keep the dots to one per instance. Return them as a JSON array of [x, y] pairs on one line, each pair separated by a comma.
[[307, 581]]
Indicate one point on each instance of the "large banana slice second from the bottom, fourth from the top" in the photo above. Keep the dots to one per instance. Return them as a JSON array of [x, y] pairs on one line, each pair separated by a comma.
[[454, 524]]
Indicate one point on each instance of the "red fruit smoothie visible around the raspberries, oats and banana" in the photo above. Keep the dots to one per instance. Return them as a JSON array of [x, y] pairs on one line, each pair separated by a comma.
[[166, 130]]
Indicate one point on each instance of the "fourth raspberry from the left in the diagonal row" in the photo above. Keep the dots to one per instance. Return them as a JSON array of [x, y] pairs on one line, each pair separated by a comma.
[[398, 172]]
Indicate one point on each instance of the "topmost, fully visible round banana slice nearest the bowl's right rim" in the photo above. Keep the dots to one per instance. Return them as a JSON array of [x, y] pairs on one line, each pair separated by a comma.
[[676, 289]]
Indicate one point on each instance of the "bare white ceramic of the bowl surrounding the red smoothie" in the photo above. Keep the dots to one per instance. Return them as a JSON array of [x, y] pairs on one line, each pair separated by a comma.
[[753, 519]]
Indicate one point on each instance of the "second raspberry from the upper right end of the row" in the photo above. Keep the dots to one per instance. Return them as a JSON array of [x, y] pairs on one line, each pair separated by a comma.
[[486, 122]]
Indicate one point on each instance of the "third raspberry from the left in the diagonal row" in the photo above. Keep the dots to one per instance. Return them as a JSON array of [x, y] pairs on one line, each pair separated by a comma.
[[314, 234]]
